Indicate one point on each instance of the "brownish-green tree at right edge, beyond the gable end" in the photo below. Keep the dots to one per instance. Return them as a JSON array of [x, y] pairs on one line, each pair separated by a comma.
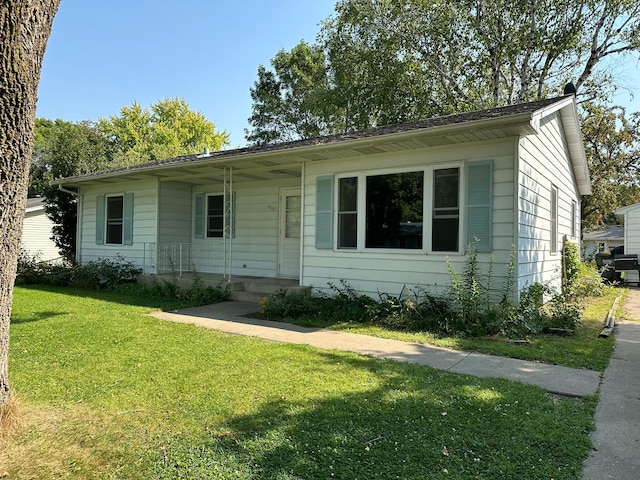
[[612, 145]]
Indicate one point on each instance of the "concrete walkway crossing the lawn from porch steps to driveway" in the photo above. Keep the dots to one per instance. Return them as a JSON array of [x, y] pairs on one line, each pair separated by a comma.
[[229, 317]]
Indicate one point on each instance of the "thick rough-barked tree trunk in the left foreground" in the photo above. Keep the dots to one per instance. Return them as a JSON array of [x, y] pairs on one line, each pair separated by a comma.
[[25, 26]]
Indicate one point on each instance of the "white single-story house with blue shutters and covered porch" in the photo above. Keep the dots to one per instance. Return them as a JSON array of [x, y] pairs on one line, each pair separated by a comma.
[[384, 209]]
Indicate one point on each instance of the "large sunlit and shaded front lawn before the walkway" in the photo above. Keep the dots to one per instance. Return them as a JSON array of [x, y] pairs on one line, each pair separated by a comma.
[[109, 392]]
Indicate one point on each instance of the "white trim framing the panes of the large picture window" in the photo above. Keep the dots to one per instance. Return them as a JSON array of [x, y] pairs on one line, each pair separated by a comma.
[[427, 205]]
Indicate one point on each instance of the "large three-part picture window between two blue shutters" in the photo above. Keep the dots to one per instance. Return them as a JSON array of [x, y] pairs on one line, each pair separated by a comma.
[[389, 210]]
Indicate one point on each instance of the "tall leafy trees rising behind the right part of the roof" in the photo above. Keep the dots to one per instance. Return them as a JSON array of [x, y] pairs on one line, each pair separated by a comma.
[[389, 62]]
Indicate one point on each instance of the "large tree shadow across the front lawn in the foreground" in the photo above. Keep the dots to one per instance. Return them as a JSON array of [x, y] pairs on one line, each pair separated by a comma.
[[426, 424]]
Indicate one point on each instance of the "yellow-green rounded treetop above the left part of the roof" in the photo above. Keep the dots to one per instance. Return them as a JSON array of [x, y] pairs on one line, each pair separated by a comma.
[[167, 129]]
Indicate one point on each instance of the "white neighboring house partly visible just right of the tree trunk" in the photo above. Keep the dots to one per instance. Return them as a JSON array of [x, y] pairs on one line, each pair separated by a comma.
[[36, 232]]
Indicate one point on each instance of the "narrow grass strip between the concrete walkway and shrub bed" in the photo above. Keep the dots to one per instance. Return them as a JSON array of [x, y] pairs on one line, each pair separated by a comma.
[[583, 350]]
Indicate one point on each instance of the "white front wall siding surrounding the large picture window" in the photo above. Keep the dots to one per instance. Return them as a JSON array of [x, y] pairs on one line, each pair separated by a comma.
[[392, 271]]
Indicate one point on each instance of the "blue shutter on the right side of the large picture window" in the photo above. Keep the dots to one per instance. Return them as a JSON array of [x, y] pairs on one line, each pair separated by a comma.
[[480, 205]]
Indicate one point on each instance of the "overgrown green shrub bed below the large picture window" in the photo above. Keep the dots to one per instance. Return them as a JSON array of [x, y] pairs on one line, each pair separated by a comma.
[[469, 309]]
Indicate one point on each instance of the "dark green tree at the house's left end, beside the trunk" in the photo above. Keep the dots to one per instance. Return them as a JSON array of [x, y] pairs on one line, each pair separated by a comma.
[[65, 149]]
